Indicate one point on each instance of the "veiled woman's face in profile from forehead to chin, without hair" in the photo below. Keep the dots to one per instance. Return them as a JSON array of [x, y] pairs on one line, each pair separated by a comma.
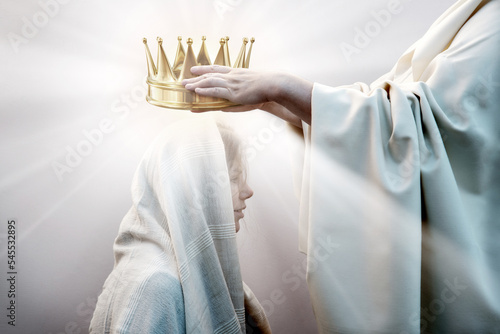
[[240, 190]]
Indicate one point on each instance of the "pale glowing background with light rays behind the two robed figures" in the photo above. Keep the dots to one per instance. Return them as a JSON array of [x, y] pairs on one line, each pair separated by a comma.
[[85, 63]]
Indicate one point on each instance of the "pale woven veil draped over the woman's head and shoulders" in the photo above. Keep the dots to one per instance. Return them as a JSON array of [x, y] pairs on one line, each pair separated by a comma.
[[176, 261]]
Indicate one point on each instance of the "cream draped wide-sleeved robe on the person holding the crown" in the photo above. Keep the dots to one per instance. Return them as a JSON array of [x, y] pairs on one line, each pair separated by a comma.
[[401, 188]]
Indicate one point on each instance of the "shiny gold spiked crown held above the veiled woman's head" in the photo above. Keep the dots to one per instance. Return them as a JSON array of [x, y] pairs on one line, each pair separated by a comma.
[[164, 81]]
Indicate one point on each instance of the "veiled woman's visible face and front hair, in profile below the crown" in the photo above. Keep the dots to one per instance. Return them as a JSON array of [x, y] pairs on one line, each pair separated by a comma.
[[237, 172]]
